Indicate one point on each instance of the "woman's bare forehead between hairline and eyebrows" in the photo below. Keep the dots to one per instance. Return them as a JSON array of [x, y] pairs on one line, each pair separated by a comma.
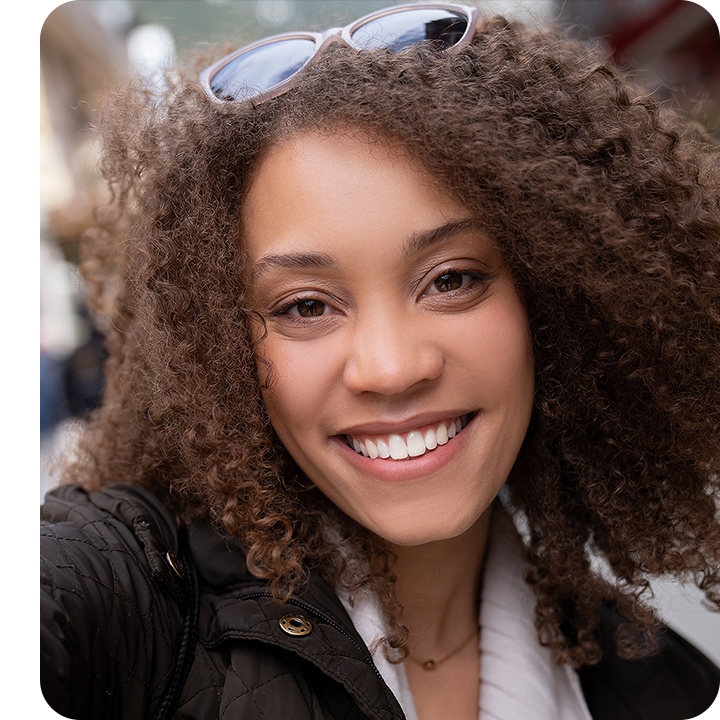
[[314, 188]]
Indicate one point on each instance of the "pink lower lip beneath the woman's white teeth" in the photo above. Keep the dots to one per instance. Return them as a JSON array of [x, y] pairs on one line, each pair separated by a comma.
[[409, 469]]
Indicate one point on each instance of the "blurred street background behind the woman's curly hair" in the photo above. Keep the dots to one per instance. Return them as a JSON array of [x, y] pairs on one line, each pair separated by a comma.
[[88, 46]]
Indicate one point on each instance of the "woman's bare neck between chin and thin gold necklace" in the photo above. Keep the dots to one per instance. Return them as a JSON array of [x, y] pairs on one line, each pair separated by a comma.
[[438, 586]]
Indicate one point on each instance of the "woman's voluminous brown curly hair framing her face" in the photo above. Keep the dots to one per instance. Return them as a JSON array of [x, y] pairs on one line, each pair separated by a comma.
[[605, 206]]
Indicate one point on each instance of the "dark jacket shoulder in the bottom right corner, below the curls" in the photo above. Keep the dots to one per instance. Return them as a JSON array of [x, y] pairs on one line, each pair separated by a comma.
[[675, 683]]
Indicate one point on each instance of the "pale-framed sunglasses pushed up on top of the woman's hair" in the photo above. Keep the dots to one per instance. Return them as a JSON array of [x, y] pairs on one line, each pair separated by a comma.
[[270, 67]]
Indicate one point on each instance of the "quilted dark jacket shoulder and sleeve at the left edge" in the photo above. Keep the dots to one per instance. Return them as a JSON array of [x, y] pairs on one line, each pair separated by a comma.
[[111, 601]]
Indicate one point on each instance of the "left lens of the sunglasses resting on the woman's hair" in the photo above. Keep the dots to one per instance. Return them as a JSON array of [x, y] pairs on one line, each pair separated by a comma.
[[261, 68]]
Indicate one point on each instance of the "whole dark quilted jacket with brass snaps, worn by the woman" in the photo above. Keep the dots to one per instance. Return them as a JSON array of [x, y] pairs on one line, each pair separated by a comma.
[[120, 632]]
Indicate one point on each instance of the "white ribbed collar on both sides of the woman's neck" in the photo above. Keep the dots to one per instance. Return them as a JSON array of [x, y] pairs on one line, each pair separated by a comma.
[[519, 678]]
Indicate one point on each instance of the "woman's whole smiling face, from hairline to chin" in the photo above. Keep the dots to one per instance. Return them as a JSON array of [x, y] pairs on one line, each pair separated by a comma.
[[402, 378]]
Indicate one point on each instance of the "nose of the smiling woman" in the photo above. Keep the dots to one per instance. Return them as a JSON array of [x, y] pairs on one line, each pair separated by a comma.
[[389, 357]]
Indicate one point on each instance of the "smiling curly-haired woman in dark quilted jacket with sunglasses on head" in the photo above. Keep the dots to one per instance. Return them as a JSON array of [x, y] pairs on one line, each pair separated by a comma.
[[411, 389]]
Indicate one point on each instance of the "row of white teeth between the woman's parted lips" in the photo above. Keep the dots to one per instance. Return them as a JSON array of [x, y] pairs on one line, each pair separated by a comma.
[[410, 444]]
